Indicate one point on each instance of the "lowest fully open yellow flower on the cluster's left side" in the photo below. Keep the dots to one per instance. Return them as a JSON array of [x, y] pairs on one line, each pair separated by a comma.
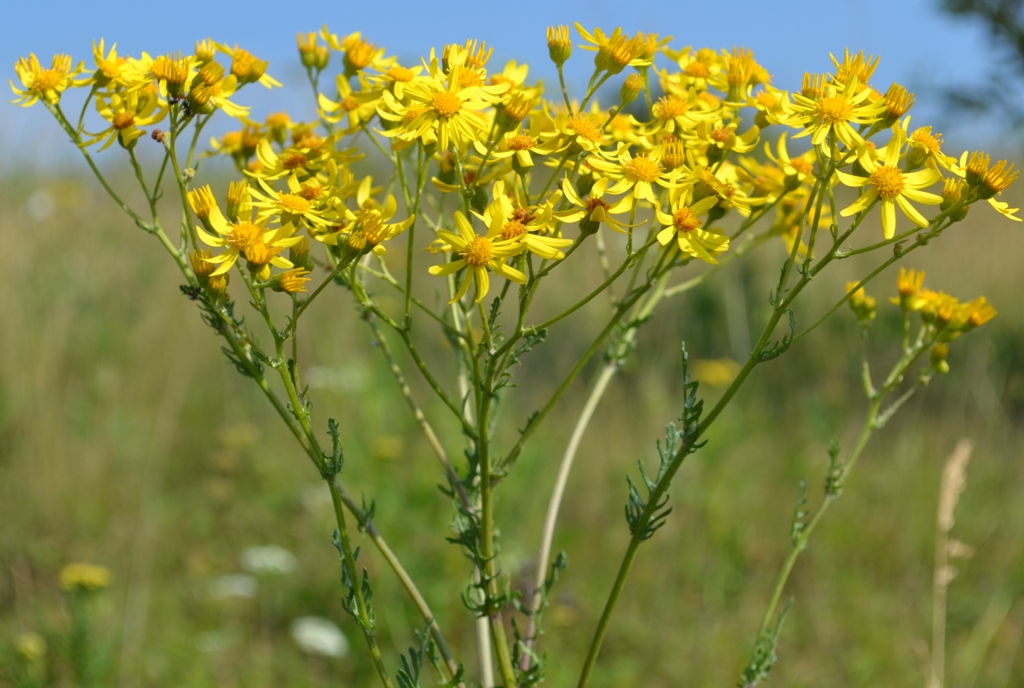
[[260, 246]]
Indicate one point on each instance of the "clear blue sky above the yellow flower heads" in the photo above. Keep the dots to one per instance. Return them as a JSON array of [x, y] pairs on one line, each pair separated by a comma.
[[920, 48]]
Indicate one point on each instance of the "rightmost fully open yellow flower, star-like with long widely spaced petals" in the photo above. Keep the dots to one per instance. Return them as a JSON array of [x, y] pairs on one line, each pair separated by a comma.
[[892, 187]]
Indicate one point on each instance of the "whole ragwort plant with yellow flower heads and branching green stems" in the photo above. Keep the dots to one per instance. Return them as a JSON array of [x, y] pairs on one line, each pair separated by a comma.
[[501, 186]]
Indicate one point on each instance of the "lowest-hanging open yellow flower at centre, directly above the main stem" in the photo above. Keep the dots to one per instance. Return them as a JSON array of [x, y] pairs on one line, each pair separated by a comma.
[[478, 254]]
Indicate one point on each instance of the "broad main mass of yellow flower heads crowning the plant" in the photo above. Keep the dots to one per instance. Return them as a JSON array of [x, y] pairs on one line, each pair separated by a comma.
[[682, 162]]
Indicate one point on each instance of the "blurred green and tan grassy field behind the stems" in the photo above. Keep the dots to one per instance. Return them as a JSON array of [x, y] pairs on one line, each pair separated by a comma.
[[126, 440]]
